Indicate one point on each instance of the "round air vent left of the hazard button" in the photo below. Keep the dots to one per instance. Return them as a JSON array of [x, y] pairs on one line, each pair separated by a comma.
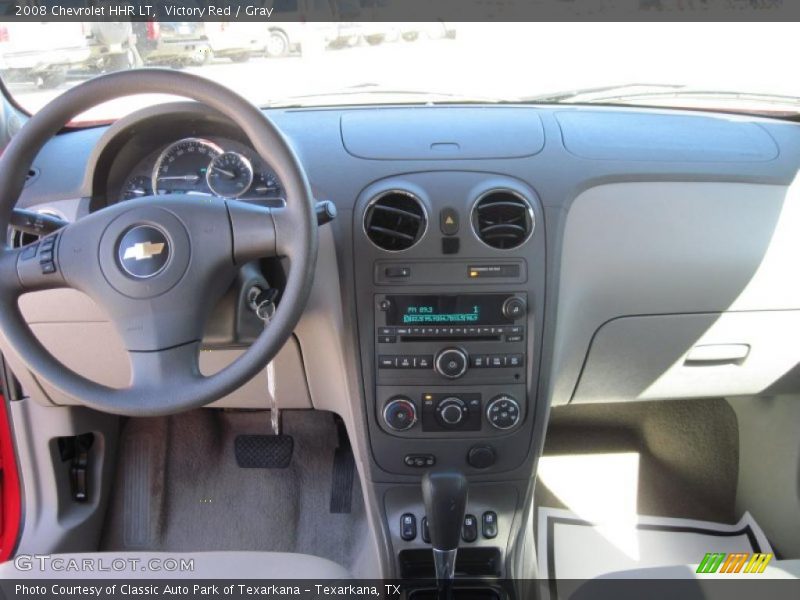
[[395, 220]]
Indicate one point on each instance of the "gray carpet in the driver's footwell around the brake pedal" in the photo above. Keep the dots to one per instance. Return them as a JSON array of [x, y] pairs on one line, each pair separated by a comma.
[[178, 488]]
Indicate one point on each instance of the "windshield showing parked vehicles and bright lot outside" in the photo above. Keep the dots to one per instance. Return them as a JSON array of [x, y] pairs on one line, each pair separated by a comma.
[[728, 66]]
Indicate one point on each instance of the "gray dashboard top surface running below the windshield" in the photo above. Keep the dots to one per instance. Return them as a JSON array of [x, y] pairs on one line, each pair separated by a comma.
[[559, 151]]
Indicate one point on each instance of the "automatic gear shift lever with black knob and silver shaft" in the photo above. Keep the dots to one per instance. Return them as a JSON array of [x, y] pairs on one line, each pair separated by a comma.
[[445, 497]]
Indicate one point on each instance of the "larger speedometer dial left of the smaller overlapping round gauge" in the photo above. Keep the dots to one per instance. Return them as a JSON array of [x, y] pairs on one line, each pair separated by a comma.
[[182, 167]]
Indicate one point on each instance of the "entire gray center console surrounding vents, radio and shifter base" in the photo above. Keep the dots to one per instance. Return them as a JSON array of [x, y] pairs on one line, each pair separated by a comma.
[[450, 275]]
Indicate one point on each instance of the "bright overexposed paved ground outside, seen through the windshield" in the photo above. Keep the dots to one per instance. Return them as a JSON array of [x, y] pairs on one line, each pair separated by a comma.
[[514, 60]]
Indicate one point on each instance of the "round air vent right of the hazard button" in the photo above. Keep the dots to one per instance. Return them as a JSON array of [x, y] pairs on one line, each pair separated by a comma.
[[502, 219]]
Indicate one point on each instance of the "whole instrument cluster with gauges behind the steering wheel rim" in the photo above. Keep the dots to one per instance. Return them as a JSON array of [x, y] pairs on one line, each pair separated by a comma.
[[206, 167]]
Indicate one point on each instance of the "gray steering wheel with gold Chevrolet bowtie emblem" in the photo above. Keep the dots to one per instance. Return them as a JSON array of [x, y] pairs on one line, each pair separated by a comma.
[[158, 265]]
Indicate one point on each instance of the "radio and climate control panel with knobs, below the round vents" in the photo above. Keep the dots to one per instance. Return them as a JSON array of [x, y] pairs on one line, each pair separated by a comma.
[[475, 341]]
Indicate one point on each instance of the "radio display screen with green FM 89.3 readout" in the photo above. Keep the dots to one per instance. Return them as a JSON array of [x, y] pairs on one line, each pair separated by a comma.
[[467, 309]]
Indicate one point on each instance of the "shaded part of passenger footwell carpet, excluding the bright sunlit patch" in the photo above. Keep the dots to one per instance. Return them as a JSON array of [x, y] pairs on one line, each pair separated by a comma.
[[688, 452]]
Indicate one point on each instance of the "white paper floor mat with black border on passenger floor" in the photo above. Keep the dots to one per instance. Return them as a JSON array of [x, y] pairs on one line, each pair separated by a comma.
[[570, 547]]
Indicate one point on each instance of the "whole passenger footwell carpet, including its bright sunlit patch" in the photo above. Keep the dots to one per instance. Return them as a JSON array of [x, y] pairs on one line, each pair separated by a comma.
[[668, 459]]
